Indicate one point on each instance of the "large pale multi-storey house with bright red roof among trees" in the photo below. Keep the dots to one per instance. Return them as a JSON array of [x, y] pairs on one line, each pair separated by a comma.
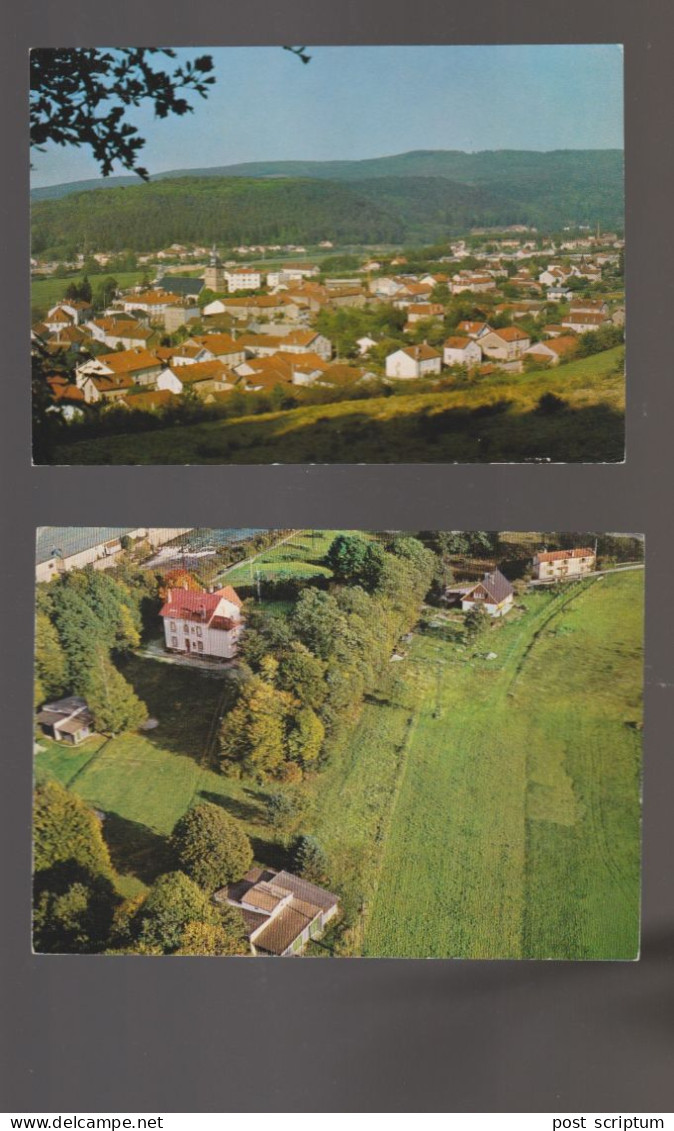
[[203, 624]]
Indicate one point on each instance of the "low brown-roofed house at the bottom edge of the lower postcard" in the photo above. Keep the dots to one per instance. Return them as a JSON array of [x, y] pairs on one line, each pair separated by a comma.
[[281, 911]]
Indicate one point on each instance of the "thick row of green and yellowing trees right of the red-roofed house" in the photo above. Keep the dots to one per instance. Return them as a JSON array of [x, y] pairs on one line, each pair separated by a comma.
[[306, 672]]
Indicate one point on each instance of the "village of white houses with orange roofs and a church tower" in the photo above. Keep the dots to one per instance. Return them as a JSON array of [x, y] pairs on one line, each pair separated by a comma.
[[206, 331]]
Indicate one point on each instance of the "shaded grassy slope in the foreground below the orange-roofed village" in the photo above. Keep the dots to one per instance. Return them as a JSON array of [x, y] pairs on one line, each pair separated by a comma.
[[496, 420]]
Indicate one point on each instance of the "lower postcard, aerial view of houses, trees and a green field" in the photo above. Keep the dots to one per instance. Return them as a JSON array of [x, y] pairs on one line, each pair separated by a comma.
[[334, 744]]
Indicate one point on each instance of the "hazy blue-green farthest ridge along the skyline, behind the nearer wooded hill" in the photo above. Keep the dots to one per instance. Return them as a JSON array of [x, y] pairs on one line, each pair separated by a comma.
[[455, 165]]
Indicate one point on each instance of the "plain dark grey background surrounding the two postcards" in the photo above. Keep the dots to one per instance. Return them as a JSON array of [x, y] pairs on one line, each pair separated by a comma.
[[132, 1034]]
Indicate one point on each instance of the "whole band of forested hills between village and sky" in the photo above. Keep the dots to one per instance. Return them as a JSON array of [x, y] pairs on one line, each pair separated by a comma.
[[425, 195]]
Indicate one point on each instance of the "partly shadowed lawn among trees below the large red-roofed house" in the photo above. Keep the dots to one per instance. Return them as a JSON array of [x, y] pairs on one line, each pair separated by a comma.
[[144, 783]]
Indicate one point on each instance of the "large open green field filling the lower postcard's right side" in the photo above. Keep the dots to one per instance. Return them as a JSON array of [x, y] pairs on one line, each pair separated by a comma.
[[516, 833]]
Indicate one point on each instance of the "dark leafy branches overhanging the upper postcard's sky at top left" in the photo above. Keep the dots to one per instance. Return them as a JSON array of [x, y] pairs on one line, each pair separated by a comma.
[[81, 97]]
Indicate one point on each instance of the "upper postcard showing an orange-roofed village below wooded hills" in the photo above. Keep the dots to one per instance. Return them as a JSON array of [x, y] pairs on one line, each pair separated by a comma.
[[329, 255]]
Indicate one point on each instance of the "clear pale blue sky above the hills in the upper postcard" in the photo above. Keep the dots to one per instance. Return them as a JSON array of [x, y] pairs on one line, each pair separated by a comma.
[[351, 103]]
